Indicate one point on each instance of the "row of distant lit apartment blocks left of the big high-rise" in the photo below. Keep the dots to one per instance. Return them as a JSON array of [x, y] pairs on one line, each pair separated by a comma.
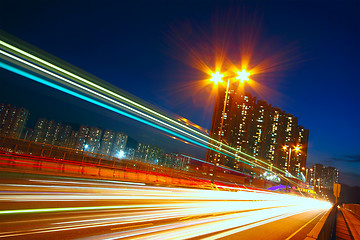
[[84, 138]]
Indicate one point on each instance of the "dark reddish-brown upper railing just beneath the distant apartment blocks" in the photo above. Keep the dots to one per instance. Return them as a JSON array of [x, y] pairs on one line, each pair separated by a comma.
[[79, 157]]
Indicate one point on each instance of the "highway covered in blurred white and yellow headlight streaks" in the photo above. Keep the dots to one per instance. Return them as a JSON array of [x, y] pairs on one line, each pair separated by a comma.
[[54, 207]]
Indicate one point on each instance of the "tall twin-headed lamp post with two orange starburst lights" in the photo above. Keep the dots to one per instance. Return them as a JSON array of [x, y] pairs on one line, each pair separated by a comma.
[[217, 78]]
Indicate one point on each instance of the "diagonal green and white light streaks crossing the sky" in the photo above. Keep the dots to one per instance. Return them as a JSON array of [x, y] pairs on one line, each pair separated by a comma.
[[139, 109]]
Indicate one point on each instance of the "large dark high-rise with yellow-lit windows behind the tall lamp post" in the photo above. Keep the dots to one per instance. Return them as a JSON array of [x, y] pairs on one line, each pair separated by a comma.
[[257, 128]]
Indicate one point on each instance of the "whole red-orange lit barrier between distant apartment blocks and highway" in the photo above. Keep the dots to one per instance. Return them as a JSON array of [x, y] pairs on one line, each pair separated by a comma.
[[23, 154]]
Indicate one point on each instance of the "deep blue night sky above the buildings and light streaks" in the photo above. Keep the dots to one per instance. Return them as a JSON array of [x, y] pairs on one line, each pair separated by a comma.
[[143, 47]]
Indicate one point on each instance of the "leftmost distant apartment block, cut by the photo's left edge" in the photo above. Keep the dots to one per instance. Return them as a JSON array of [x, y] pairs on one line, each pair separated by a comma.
[[12, 120]]
